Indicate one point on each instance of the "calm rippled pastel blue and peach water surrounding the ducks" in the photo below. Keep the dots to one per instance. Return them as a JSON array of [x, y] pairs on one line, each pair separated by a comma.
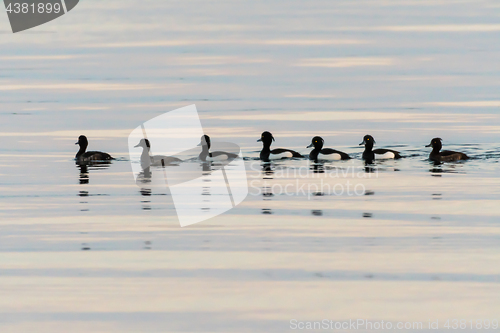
[[90, 251]]
